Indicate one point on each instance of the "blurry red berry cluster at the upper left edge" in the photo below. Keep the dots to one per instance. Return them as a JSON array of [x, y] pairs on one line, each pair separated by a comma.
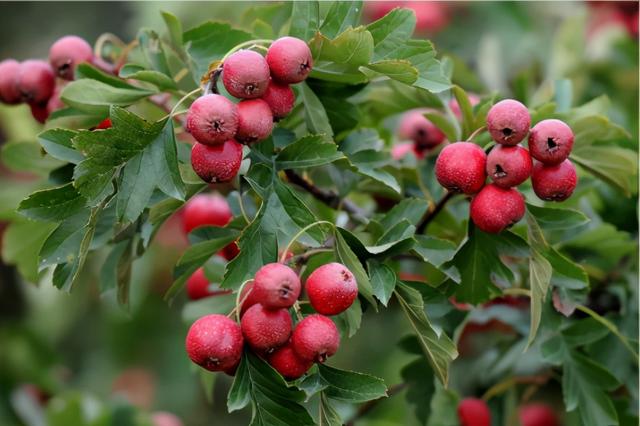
[[34, 81]]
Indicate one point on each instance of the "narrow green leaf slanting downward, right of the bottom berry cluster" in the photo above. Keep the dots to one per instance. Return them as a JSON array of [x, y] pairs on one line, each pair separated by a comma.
[[436, 345]]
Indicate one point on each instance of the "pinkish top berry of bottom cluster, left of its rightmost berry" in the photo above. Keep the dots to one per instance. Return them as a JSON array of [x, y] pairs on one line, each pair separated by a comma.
[[276, 286]]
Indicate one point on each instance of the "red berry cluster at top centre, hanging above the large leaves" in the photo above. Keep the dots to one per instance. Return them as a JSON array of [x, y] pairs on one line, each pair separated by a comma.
[[219, 125]]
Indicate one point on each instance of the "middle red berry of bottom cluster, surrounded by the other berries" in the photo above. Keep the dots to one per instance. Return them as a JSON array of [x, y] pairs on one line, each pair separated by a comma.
[[265, 330]]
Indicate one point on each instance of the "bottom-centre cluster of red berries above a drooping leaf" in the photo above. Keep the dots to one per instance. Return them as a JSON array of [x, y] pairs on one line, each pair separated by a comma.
[[215, 342]]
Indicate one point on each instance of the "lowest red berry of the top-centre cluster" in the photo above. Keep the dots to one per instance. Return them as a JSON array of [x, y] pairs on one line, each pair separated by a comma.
[[219, 163]]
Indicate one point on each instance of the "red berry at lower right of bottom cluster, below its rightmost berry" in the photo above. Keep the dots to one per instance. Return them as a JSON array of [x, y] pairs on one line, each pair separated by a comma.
[[315, 338]]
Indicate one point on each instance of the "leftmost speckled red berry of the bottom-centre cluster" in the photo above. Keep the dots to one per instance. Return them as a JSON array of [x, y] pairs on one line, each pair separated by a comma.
[[214, 342]]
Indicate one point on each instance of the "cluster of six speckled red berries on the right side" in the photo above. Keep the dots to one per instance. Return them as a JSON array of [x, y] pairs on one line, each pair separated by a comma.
[[464, 166]]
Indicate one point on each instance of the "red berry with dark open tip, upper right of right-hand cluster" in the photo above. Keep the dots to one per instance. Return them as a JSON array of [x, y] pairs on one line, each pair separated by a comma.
[[551, 141]]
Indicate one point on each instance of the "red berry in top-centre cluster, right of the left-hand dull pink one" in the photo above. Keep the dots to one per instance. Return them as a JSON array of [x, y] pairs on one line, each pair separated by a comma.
[[255, 120]]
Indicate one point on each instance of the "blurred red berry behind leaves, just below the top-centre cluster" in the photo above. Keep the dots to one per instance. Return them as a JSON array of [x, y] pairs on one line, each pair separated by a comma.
[[206, 210]]
